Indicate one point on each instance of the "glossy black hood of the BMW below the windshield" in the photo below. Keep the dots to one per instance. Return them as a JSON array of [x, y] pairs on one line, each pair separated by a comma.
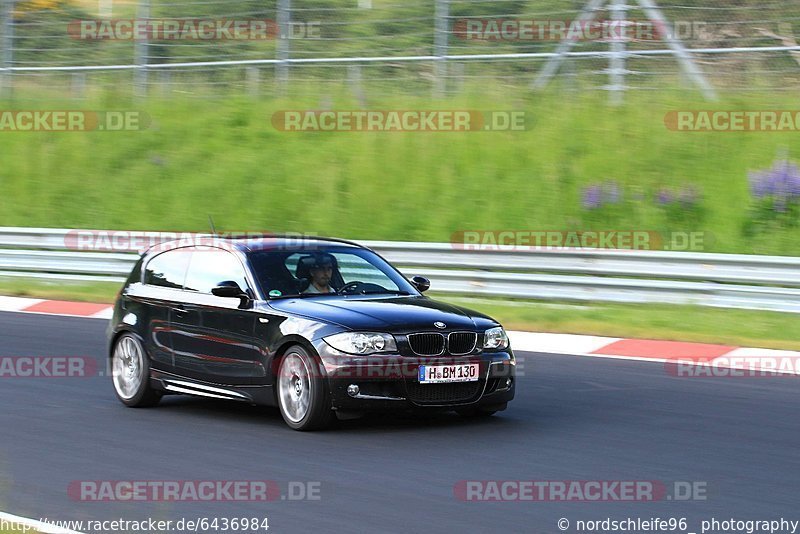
[[392, 314]]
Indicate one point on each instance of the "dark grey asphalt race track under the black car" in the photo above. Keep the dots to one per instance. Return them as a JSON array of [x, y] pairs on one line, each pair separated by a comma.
[[574, 419]]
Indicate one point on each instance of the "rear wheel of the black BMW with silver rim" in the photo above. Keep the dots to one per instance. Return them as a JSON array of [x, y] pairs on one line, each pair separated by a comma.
[[130, 373]]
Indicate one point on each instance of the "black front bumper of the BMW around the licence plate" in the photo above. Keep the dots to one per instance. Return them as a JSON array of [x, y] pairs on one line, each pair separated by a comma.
[[391, 382]]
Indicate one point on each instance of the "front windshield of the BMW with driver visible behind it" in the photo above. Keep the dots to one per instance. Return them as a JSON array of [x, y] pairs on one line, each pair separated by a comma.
[[325, 271]]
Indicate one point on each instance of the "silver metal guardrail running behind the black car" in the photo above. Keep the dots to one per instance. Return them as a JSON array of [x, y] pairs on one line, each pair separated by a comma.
[[721, 280]]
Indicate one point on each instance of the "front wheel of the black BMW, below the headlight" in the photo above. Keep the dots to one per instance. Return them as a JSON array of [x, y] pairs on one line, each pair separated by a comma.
[[303, 397]]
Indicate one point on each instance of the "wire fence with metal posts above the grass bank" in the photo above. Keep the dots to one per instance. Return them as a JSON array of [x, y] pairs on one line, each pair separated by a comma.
[[409, 45]]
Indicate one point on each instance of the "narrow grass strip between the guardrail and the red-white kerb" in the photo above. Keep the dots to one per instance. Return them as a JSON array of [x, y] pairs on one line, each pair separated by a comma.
[[684, 323]]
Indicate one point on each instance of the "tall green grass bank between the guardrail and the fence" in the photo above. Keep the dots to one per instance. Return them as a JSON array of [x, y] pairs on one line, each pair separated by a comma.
[[222, 157]]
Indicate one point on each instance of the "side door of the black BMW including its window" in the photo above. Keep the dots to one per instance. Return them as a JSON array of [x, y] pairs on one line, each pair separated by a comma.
[[213, 336]]
